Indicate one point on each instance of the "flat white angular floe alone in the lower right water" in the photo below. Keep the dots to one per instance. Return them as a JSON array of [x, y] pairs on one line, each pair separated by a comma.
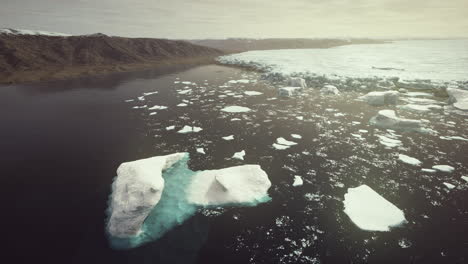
[[370, 211]]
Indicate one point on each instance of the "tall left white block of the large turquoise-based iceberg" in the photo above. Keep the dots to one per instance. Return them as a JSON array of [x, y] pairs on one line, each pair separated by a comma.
[[136, 190]]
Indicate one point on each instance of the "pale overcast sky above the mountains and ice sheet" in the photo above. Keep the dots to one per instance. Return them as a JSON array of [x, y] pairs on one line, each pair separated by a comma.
[[241, 18]]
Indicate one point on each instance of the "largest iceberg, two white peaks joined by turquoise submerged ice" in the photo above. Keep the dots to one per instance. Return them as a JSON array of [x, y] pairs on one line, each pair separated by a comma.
[[151, 196]]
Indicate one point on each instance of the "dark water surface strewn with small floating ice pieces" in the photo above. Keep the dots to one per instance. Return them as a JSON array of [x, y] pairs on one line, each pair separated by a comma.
[[61, 142]]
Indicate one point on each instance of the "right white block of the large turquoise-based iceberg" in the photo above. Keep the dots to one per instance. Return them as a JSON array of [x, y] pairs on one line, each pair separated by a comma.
[[247, 184]]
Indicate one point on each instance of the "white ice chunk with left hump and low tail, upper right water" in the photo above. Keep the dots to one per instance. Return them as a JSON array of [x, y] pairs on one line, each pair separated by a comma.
[[388, 119]]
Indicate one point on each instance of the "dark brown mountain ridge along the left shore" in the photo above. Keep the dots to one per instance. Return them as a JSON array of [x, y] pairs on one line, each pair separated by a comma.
[[38, 55]]
